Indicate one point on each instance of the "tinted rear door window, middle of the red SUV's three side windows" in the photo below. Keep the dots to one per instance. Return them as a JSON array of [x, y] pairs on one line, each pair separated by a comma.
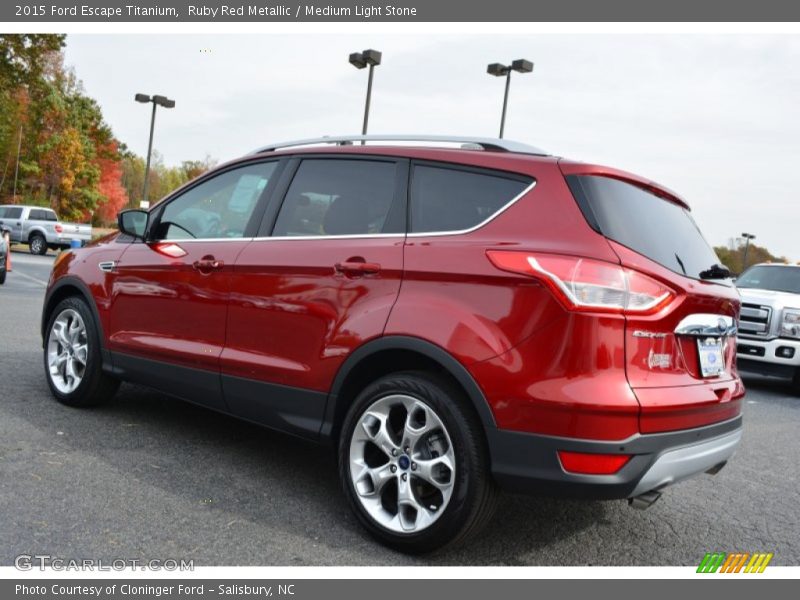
[[337, 197]]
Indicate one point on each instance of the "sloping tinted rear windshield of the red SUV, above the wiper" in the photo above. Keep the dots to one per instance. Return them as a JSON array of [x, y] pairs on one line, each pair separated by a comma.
[[657, 228]]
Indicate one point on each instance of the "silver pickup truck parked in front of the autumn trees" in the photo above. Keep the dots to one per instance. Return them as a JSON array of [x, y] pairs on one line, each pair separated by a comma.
[[40, 228]]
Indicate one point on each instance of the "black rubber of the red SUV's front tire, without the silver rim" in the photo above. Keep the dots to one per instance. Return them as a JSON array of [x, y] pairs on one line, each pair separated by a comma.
[[95, 387]]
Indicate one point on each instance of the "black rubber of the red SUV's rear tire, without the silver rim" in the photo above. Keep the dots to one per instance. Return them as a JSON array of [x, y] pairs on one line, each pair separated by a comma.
[[474, 493]]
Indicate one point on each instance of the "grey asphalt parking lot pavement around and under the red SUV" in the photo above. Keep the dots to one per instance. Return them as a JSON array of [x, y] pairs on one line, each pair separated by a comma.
[[151, 477]]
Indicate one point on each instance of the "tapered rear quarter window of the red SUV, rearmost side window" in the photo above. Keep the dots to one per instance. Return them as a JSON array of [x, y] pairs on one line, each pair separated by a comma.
[[445, 199]]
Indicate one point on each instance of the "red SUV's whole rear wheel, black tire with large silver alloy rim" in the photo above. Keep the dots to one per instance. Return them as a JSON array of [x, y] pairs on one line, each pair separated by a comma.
[[413, 463]]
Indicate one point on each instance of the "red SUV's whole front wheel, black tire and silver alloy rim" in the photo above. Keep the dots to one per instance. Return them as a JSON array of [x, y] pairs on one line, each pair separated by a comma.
[[72, 358]]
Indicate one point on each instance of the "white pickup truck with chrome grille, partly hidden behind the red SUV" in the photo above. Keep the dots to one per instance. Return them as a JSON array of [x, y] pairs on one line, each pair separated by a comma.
[[768, 342]]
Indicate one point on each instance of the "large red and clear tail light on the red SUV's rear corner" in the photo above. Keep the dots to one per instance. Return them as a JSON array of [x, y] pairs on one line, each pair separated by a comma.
[[584, 284]]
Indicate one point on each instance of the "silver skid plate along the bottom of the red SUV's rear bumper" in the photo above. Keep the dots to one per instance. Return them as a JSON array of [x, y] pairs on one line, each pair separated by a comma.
[[676, 465]]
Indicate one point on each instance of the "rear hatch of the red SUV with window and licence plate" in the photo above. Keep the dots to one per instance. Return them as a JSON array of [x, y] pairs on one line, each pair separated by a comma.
[[681, 359]]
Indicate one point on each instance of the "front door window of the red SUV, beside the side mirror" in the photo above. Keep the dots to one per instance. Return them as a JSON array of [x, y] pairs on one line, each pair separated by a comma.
[[220, 207]]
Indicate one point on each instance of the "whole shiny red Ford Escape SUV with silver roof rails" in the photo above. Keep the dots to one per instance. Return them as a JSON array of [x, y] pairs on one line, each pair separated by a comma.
[[453, 320]]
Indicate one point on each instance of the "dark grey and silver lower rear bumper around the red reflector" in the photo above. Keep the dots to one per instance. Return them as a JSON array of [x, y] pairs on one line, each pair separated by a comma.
[[524, 462]]
